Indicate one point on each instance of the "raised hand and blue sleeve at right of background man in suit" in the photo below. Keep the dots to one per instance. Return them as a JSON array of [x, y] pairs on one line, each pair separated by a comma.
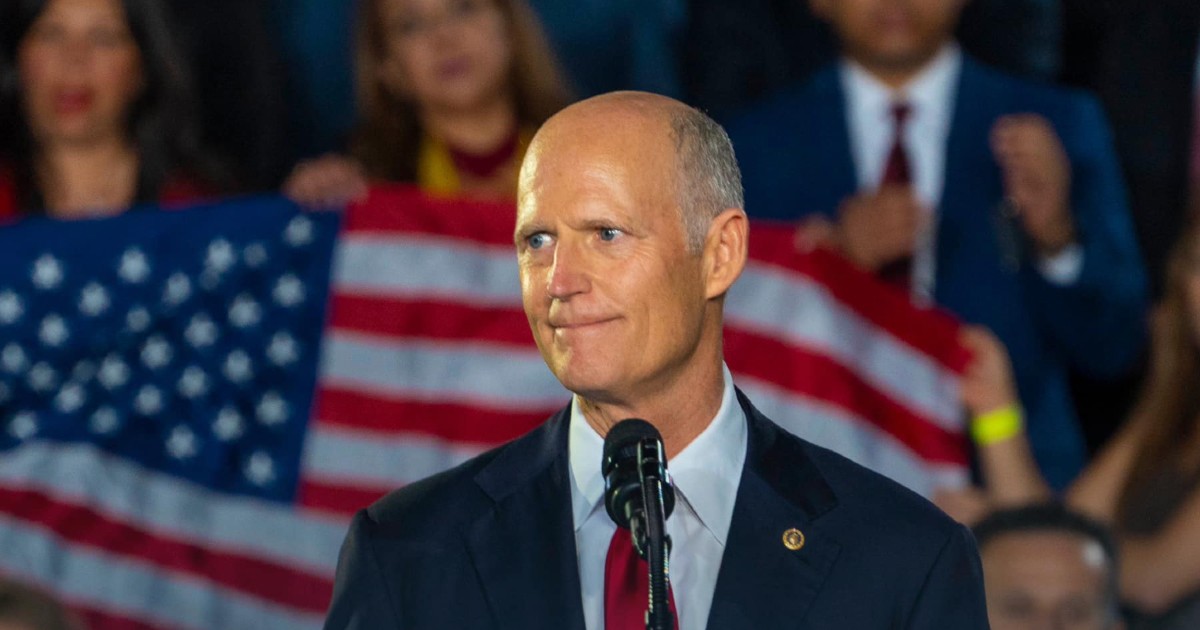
[[1077, 211]]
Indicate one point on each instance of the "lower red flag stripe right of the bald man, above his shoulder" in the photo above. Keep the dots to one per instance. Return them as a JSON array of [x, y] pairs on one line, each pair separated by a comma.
[[820, 377]]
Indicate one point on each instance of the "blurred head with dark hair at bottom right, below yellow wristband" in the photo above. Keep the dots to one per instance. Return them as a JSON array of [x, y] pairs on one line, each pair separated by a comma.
[[1048, 568]]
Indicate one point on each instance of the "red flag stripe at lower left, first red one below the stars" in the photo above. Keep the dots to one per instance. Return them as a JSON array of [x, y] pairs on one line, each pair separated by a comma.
[[91, 529]]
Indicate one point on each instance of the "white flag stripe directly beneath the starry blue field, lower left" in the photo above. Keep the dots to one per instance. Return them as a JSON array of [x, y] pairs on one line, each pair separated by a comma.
[[159, 503]]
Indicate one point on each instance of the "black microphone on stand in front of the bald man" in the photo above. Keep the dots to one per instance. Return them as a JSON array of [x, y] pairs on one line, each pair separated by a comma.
[[639, 497]]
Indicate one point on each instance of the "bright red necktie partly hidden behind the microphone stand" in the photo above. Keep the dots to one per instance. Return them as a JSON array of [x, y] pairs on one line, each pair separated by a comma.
[[627, 586]]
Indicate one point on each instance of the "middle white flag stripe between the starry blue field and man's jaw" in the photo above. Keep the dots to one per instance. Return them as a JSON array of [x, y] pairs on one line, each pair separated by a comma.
[[441, 371]]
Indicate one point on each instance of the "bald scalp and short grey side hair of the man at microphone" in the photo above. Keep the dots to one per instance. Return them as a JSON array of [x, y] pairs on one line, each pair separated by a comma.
[[681, 151]]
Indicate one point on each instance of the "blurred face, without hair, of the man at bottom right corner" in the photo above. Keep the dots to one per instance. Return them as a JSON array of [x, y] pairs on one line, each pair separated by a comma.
[[1047, 581]]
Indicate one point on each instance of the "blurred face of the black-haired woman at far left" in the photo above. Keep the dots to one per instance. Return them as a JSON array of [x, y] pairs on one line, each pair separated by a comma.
[[81, 73]]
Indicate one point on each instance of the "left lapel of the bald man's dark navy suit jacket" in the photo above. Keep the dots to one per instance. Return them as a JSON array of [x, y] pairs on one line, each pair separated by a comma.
[[525, 548]]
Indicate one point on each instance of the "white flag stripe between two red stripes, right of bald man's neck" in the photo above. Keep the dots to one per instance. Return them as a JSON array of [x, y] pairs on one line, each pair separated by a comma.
[[797, 309]]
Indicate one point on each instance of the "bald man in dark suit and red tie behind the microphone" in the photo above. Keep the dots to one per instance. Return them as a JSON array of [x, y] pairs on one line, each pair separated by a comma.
[[629, 235]]
